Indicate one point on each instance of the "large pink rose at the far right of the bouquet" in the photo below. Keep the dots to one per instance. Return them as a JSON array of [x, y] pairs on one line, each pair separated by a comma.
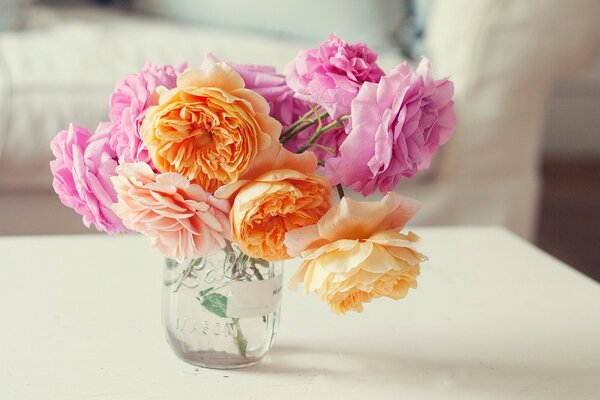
[[397, 126]]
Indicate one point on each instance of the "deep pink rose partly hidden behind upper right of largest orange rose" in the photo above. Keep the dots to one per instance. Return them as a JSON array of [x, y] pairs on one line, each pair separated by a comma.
[[265, 80]]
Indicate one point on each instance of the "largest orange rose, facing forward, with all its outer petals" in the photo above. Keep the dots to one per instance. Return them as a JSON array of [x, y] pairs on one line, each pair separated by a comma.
[[209, 128]]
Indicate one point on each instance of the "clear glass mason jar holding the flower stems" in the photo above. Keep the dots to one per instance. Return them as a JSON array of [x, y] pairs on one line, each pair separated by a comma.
[[222, 311]]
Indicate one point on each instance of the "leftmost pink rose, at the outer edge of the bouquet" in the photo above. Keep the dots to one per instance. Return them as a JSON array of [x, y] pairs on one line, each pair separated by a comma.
[[82, 169]]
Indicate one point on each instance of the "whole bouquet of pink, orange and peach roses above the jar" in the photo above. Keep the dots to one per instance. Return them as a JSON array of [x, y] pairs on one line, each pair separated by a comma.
[[197, 159]]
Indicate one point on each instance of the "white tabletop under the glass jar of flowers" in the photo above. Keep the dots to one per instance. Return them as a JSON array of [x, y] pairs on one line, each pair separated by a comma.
[[493, 318]]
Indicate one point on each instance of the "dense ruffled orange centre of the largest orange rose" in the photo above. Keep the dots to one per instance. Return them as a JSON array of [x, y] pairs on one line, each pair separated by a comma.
[[205, 143]]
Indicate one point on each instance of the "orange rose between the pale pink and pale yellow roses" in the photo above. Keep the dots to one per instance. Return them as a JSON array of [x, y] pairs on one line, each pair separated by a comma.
[[278, 193]]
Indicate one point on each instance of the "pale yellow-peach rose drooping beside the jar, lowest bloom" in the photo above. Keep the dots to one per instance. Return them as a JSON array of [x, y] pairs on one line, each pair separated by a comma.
[[356, 252]]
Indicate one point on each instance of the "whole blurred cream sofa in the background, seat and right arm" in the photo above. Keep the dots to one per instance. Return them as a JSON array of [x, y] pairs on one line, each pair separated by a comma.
[[503, 55]]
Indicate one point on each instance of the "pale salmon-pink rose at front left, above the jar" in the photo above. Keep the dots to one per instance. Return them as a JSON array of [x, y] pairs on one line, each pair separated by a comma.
[[180, 218]]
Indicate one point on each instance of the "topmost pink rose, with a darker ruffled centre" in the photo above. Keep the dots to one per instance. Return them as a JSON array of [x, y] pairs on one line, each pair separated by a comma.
[[332, 74]]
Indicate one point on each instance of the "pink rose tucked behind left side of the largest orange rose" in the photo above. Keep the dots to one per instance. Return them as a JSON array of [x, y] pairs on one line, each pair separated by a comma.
[[128, 105]]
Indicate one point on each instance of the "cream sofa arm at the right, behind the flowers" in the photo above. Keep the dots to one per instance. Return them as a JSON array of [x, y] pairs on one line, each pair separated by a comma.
[[505, 57]]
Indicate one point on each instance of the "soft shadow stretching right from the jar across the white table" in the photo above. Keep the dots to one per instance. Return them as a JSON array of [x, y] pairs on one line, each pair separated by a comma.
[[518, 379]]
